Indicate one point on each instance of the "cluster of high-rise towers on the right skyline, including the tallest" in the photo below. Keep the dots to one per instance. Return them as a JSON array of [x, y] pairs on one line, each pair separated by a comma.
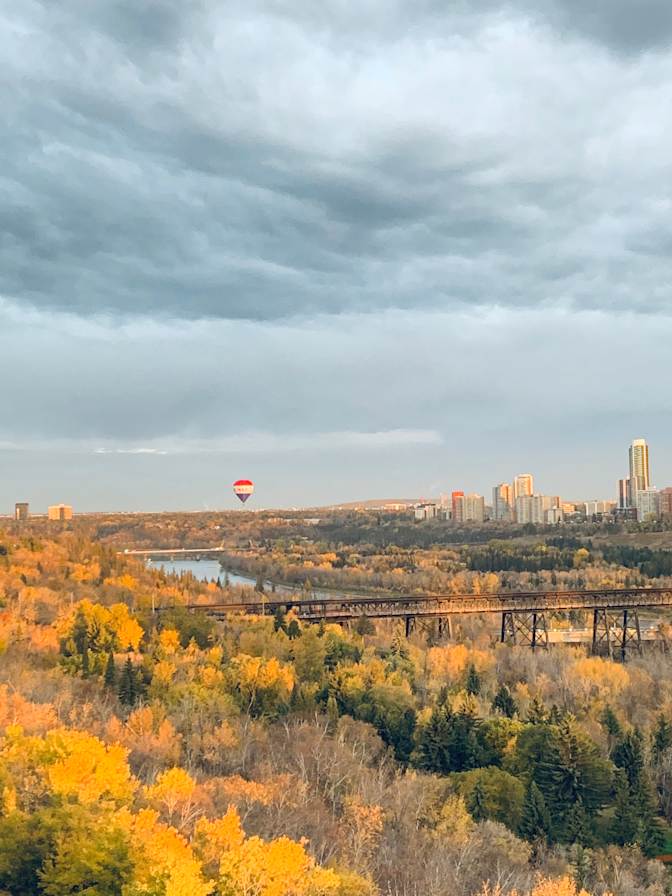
[[517, 501]]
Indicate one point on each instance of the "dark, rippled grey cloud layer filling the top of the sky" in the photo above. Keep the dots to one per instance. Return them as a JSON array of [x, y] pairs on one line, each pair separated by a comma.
[[263, 160]]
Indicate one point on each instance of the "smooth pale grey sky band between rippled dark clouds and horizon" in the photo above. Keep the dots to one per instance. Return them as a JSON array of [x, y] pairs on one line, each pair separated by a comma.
[[144, 414]]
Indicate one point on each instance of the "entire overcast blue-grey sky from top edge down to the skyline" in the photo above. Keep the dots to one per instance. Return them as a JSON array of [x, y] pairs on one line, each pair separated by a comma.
[[347, 249]]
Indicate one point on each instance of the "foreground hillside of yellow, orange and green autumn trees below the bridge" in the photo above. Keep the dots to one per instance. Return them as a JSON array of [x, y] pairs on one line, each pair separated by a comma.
[[145, 749]]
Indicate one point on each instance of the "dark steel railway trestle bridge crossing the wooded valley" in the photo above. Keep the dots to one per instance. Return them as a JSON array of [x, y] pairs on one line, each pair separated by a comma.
[[616, 627]]
